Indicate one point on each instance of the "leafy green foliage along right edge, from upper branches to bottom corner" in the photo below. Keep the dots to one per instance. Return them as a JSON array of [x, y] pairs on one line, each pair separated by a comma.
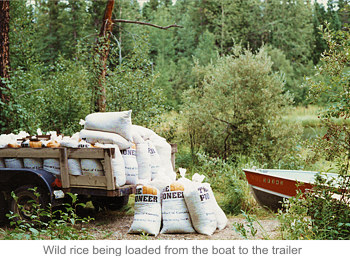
[[324, 212]]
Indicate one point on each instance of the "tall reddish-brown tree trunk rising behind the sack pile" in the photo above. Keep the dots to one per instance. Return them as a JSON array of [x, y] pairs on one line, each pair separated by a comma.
[[103, 51]]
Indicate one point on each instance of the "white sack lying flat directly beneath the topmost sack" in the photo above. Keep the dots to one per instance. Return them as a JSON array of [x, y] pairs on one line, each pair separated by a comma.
[[92, 136]]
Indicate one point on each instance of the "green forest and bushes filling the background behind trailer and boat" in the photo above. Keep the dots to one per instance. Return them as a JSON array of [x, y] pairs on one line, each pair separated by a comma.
[[241, 84]]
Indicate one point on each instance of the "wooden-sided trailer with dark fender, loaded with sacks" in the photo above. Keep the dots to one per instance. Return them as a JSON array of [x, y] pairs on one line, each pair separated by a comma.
[[52, 189]]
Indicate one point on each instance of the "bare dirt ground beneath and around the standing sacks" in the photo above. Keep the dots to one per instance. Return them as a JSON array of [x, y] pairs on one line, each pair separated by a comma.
[[115, 225]]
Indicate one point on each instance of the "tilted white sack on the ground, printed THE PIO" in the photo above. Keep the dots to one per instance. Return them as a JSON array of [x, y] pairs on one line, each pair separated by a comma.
[[199, 205]]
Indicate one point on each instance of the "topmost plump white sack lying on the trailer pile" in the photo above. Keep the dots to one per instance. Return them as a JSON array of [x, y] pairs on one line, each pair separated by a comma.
[[114, 122]]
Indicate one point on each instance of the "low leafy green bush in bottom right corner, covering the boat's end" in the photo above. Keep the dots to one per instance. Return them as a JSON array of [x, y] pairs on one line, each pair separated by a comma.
[[321, 214]]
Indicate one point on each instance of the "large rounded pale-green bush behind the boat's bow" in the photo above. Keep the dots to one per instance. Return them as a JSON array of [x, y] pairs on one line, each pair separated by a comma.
[[236, 108]]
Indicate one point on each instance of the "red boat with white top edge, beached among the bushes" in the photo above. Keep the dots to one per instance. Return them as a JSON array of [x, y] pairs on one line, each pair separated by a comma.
[[270, 186]]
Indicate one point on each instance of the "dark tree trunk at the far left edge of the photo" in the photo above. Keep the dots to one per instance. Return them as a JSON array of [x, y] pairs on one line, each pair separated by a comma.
[[4, 48]]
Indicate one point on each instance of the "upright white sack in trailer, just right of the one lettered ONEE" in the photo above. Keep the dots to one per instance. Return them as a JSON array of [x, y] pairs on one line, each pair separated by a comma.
[[143, 162]]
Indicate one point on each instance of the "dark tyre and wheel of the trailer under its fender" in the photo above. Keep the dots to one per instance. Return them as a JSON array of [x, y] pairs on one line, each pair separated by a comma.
[[26, 203]]
